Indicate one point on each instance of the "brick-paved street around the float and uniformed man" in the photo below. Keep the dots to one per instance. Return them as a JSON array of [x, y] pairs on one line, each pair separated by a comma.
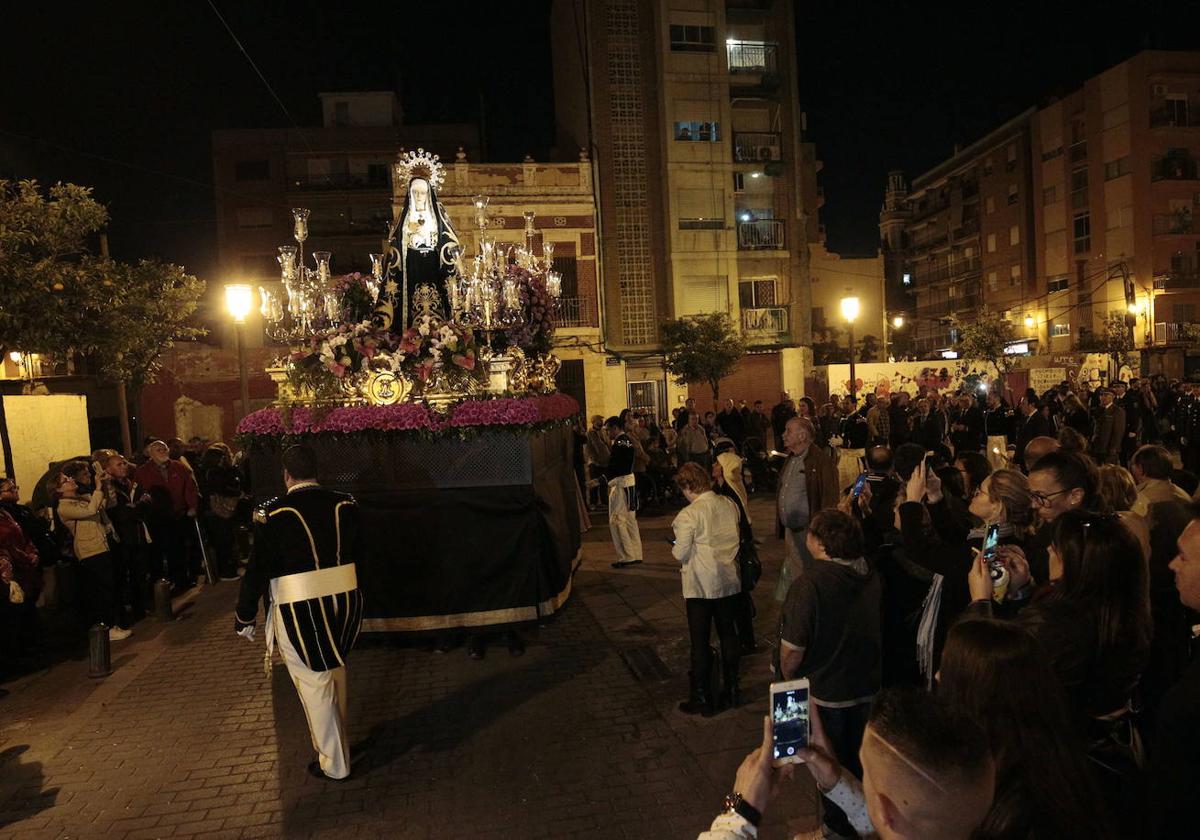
[[579, 739]]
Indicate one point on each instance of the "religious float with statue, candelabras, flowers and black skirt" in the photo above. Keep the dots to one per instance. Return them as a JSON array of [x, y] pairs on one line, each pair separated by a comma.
[[428, 392]]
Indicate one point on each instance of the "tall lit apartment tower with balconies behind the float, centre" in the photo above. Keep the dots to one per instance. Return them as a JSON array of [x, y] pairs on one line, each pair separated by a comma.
[[706, 189]]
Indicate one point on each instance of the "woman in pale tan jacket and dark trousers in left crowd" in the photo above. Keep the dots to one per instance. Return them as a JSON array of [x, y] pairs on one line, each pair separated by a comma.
[[88, 524]]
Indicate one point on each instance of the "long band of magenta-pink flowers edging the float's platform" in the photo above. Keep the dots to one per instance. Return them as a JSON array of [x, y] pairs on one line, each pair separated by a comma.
[[524, 413]]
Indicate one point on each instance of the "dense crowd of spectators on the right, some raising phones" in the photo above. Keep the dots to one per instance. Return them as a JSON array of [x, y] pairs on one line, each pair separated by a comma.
[[1047, 688]]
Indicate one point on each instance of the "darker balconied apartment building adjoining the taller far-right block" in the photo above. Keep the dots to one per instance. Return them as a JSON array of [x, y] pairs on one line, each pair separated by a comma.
[[962, 239]]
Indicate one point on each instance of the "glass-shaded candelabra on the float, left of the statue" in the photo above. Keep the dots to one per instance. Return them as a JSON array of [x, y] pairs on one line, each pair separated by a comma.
[[309, 302]]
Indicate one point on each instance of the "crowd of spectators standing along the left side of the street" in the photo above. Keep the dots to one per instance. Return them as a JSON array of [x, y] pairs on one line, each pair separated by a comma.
[[91, 541]]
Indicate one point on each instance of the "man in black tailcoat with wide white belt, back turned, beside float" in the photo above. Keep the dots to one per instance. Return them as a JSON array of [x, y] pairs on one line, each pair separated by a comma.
[[307, 544]]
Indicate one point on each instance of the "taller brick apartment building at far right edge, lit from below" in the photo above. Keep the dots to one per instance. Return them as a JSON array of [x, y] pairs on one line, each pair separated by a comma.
[[1117, 175]]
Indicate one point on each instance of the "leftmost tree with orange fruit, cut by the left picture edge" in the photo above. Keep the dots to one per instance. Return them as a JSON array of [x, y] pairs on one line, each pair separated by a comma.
[[51, 284]]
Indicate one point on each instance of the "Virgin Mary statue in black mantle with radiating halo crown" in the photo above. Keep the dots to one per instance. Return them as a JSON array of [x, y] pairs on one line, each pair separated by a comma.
[[423, 250]]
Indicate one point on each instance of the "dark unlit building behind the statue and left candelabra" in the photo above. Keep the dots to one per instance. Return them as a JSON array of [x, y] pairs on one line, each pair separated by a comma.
[[340, 171]]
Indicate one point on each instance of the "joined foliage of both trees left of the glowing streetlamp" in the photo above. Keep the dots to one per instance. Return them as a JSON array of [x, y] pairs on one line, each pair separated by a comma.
[[57, 296]]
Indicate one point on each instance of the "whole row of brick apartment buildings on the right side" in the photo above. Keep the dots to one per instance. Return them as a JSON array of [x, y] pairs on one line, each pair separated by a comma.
[[1066, 217]]
